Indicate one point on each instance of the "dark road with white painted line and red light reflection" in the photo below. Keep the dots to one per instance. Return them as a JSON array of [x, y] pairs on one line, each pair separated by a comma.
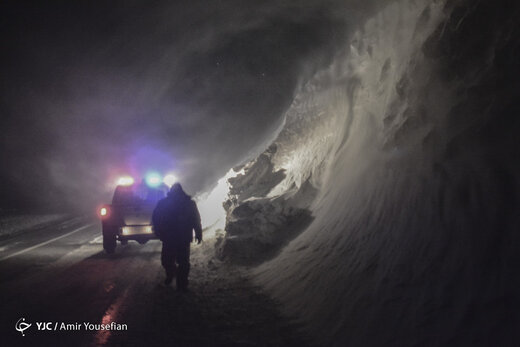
[[58, 273]]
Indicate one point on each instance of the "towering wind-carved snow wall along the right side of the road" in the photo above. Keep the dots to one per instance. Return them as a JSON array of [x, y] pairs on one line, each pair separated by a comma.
[[386, 211]]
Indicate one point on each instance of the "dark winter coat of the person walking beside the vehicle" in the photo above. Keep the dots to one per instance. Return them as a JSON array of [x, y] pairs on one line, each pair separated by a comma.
[[175, 217]]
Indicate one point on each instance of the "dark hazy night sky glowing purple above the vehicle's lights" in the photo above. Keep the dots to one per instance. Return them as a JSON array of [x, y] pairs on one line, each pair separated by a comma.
[[91, 90]]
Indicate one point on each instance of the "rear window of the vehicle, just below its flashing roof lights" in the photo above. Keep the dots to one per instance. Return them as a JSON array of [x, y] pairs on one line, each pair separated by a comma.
[[138, 194]]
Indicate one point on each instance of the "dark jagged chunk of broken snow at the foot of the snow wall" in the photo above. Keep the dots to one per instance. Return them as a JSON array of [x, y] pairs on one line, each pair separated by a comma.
[[259, 225]]
